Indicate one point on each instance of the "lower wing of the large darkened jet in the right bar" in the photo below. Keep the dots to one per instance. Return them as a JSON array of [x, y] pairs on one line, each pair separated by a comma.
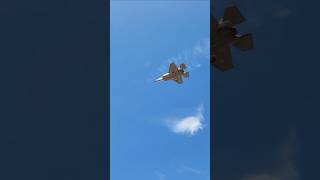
[[223, 59]]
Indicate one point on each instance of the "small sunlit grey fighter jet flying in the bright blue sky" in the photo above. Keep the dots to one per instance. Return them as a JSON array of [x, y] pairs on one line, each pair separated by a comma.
[[175, 73]]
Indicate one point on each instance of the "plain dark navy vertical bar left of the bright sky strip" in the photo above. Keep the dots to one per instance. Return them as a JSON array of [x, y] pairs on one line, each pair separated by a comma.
[[54, 95]]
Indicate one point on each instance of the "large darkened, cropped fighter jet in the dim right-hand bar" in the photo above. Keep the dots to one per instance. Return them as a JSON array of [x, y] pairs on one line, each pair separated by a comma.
[[223, 35]]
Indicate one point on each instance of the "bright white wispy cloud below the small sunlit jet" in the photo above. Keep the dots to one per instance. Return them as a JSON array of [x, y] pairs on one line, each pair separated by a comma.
[[189, 125]]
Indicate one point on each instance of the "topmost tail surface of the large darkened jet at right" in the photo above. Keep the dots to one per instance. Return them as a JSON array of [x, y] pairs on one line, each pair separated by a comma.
[[233, 15]]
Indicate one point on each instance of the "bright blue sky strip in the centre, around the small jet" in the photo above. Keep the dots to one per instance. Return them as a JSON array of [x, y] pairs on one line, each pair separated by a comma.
[[161, 130]]
